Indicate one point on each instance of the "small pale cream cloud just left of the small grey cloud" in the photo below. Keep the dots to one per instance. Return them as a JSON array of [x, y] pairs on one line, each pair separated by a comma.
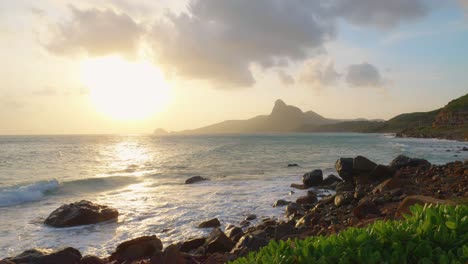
[[319, 73]]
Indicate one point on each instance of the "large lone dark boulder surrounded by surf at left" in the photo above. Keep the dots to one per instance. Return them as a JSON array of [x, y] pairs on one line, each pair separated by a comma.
[[80, 213]]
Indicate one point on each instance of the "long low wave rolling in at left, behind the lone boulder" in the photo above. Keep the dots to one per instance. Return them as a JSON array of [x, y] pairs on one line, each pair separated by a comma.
[[33, 192]]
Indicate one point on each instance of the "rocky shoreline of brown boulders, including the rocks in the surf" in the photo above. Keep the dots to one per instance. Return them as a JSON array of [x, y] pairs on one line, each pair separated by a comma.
[[363, 193]]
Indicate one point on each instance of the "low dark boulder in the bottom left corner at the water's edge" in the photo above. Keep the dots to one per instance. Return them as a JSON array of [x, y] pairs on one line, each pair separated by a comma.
[[67, 255]]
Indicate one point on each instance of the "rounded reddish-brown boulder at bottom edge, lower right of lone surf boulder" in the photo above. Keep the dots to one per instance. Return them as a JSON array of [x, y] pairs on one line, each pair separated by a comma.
[[138, 248]]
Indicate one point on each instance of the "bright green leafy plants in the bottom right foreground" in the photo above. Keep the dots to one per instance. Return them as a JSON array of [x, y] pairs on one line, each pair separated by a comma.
[[432, 234]]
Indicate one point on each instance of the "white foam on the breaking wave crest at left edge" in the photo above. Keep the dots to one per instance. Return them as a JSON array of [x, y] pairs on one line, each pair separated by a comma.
[[26, 193]]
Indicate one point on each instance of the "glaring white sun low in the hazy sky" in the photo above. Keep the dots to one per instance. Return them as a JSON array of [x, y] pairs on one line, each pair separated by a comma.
[[123, 89]]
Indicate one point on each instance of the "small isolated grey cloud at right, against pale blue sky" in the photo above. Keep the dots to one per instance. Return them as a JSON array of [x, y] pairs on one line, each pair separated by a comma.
[[364, 75]]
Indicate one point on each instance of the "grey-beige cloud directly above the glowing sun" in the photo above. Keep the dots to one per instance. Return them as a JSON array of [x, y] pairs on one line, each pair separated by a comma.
[[97, 33]]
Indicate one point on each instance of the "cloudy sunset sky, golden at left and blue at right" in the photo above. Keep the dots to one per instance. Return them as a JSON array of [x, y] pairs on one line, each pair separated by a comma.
[[125, 66]]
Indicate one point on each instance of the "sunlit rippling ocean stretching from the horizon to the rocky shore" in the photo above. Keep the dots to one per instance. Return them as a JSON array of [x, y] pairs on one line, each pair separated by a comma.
[[143, 177]]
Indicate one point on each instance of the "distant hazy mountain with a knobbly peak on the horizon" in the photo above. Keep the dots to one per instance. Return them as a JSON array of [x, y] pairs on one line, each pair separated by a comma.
[[283, 118]]
